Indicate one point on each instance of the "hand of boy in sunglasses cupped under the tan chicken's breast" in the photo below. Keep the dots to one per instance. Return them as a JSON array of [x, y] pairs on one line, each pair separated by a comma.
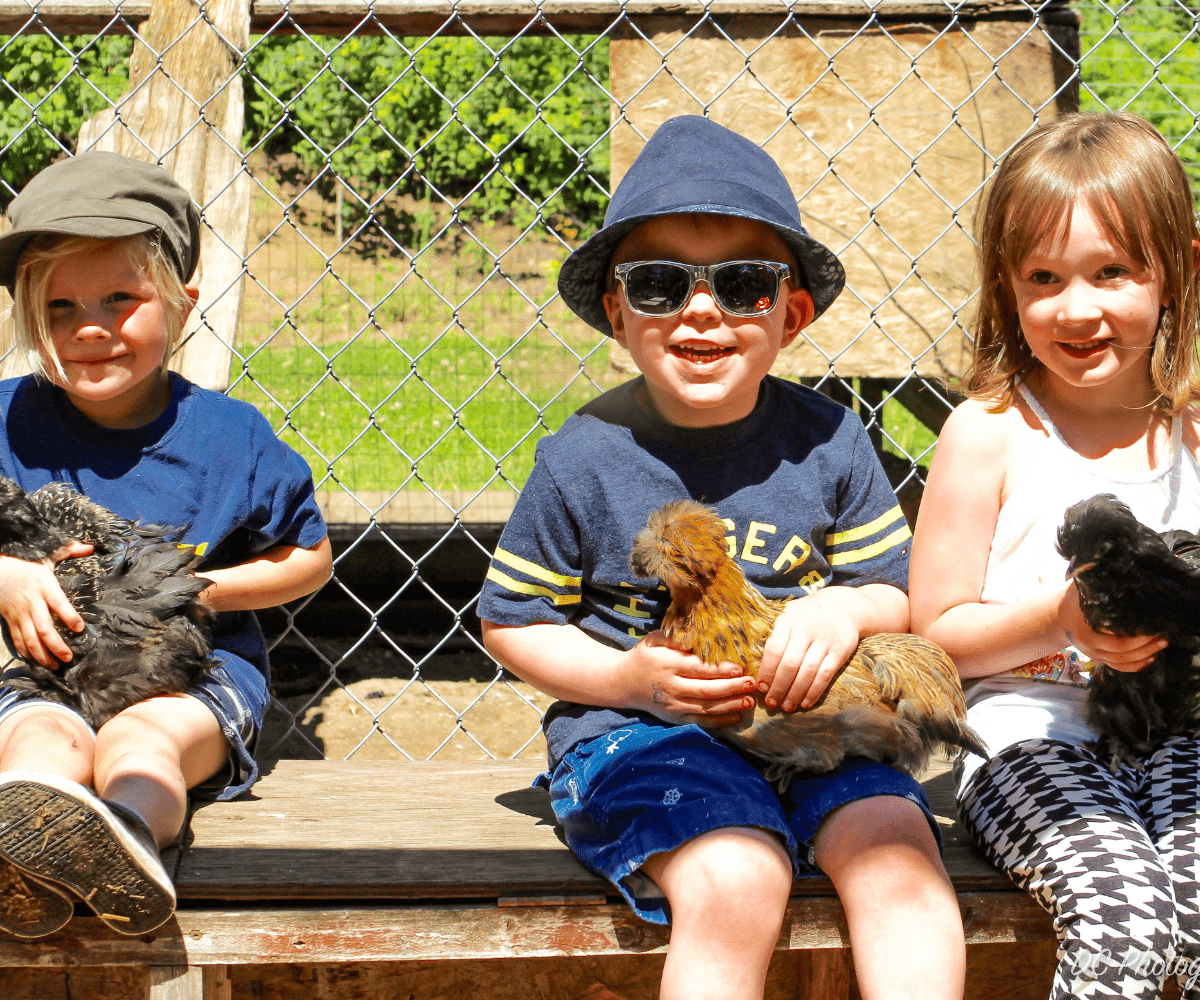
[[679, 687]]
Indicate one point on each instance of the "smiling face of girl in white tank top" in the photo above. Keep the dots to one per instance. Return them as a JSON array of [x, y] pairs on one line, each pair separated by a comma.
[[1088, 310]]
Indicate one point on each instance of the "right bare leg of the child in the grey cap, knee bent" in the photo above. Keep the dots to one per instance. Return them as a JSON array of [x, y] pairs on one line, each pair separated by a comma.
[[149, 756]]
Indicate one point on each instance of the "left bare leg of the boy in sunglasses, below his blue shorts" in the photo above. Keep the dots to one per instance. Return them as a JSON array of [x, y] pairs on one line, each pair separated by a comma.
[[728, 891]]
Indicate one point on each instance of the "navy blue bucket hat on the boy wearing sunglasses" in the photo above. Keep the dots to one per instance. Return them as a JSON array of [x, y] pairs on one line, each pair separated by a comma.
[[693, 165]]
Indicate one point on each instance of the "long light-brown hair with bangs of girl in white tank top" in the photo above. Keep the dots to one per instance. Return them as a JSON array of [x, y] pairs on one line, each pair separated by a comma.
[[1141, 194]]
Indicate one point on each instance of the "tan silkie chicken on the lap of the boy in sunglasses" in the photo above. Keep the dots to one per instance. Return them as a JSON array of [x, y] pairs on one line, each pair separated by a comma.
[[896, 700]]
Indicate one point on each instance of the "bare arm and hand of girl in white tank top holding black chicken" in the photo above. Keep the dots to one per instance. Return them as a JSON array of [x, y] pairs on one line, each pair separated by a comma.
[[958, 519]]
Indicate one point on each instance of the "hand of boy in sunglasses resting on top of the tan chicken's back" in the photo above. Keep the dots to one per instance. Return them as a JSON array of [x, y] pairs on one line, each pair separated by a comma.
[[813, 639]]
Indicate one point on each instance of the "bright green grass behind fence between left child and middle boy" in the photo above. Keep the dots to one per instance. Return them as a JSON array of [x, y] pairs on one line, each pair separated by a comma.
[[375, 415]]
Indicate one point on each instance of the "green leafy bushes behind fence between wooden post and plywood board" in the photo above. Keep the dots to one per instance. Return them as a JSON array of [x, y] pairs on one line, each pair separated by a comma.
[[481, 128]]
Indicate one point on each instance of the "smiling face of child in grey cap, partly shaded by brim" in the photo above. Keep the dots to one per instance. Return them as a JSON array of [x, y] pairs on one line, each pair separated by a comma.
[[109, 325]]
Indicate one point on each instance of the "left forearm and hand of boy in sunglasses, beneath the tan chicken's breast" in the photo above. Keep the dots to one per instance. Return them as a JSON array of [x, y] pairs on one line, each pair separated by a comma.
[[653, 676]]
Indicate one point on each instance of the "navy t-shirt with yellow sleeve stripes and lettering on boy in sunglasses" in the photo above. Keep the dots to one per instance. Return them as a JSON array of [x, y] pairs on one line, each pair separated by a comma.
[[797, 482]]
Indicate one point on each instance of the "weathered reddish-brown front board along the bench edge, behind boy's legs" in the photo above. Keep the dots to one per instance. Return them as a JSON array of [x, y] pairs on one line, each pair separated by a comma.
[[435, 933]]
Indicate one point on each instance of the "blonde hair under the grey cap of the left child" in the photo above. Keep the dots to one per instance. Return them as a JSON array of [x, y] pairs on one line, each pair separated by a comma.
[[32, 318]]
